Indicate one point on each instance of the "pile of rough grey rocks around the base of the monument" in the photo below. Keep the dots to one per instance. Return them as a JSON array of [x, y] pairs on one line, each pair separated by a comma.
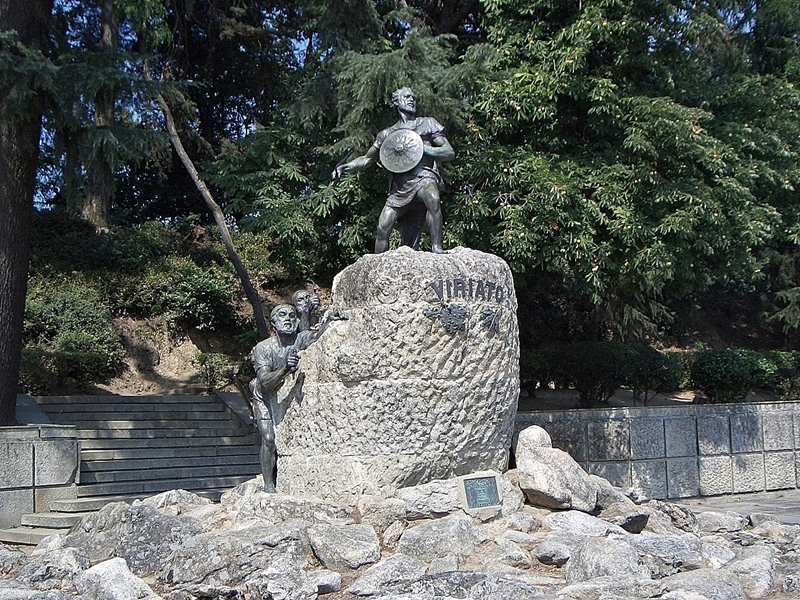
[[574, 539]]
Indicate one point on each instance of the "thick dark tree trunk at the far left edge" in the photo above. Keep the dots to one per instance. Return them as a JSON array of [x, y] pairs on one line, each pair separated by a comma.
[[19, 140]]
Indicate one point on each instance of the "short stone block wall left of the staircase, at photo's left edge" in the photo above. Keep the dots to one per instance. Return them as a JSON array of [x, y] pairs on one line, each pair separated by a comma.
[[38, 464]]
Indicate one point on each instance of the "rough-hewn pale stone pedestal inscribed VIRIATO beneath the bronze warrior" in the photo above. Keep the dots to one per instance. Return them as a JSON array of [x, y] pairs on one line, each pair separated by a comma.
[[420, 383]]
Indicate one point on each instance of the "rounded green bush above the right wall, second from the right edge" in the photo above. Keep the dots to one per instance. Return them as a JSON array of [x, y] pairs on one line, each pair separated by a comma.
[[728, 374]]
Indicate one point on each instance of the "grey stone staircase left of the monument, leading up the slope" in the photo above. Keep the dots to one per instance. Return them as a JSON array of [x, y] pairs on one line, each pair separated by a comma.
[[136, 446]]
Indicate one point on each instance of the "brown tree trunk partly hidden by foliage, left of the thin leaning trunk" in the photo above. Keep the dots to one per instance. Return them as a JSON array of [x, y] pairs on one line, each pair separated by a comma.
[[100, 176]]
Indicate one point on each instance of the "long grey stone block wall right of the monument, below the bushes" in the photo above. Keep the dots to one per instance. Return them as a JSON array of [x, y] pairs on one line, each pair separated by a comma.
[[682, 451]]
